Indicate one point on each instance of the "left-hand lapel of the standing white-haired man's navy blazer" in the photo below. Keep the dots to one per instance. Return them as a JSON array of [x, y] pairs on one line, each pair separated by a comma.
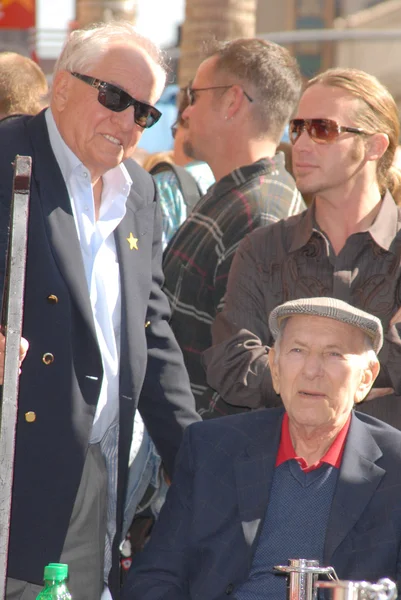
[[57, 211]]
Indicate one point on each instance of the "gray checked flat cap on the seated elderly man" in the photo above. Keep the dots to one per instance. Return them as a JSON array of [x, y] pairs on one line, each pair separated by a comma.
[[333, 309]]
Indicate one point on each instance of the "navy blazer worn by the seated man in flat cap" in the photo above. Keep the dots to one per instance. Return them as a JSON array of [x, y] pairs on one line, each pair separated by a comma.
[[204, 541]]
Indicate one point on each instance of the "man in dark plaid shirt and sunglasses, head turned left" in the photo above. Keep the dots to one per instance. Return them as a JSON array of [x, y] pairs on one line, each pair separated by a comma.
[[240, 101]]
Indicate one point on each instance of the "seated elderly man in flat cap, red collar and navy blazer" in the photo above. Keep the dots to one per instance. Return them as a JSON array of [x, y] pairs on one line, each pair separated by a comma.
[[314, 481]]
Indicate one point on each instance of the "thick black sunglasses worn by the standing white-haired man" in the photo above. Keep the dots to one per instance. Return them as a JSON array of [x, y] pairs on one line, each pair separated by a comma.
[[115, 99]]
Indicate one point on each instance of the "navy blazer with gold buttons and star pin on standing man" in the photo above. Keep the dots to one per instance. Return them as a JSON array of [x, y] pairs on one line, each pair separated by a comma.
[[58, 320]]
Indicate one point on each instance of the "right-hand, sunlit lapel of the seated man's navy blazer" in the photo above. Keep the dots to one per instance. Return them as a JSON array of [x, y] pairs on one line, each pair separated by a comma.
[[357, 481]]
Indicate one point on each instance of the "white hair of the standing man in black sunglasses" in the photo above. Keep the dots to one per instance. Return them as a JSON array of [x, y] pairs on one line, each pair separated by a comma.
[[85, 47]]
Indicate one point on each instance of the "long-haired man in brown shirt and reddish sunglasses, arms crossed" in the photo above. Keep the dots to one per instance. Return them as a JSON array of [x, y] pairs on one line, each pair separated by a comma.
[[347, 244]]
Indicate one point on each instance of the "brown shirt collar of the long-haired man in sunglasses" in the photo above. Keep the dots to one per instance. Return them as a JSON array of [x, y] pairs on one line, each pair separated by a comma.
[[383, 230]]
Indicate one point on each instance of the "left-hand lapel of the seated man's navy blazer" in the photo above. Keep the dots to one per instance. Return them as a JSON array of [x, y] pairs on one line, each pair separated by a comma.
[[254, 471]]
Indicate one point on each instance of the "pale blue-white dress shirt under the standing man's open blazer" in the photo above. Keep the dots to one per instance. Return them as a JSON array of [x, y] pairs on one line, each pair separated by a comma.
[[100, 263]]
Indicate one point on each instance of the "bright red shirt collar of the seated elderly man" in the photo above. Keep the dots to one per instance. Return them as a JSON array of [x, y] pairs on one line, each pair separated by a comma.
[[332, 457]]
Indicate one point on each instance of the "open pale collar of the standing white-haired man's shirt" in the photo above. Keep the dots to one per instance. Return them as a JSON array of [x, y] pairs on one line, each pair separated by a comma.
[[117, 178]]
